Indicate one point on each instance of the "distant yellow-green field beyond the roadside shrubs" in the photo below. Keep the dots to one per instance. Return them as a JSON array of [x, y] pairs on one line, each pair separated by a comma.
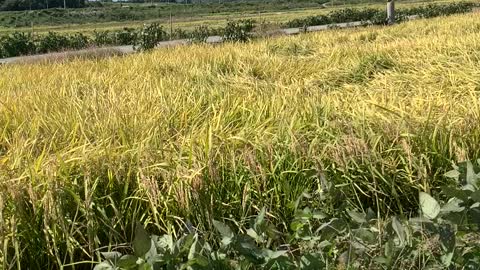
[[113, 16]]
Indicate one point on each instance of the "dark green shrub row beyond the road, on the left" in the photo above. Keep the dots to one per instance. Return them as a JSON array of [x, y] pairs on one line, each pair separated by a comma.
[[145, 38]]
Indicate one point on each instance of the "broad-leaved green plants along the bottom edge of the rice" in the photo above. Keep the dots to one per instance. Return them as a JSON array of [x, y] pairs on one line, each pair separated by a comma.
[[442, 237]]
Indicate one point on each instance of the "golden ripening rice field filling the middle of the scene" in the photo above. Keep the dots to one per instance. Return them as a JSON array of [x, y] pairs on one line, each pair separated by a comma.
[[89, 147]]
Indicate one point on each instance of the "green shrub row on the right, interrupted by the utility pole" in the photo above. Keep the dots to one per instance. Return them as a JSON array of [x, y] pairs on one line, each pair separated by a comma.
[[377, 16]]
